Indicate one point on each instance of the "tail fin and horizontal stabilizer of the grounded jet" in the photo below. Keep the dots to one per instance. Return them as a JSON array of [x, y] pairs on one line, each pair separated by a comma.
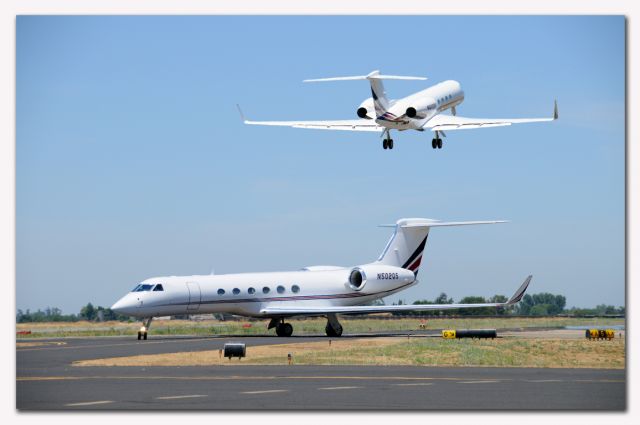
[[407, 243]]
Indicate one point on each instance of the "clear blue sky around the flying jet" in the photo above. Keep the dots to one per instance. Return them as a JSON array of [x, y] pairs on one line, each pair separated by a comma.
[[132, 161]]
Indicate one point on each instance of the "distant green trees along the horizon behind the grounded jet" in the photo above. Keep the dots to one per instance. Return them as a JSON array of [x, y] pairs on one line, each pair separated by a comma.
[[542, 304]]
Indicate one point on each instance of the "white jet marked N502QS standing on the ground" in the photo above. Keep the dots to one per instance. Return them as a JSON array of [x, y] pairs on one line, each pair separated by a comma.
[[313, 291]]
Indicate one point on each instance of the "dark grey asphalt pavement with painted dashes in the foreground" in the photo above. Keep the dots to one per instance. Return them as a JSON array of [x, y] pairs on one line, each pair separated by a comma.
[[47, 381]]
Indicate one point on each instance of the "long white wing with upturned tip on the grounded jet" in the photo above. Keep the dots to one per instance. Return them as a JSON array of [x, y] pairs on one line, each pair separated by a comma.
[[296, 311]]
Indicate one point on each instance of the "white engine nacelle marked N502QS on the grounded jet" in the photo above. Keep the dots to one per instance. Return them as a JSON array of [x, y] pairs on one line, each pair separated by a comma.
[[378, 277]]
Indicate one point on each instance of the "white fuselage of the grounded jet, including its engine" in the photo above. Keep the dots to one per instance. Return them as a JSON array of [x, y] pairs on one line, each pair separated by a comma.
[[248, 293]]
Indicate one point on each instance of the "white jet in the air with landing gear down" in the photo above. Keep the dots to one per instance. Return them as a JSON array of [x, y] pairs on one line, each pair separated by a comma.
[[420, 111]]
